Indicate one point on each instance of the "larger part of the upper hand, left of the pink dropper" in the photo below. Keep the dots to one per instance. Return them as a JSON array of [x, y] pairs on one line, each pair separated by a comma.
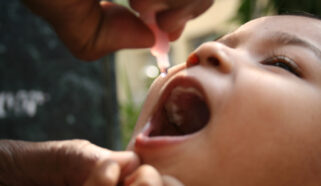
[[91, 29]]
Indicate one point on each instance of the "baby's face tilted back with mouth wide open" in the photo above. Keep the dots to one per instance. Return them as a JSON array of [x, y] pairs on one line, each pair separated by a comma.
[[262, 122]]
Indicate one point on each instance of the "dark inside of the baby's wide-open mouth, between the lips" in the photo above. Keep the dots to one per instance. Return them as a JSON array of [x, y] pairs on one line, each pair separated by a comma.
[[182, 109]]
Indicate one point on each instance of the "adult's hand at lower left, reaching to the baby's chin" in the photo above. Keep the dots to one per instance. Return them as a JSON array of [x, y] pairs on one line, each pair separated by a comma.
[[71, 162]]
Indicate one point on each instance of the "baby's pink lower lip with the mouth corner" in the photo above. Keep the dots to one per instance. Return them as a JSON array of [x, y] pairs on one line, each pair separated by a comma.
[[143, 140]]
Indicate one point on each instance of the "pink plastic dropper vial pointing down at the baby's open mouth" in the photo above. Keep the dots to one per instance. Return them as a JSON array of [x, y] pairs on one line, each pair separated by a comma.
[[161, 46]]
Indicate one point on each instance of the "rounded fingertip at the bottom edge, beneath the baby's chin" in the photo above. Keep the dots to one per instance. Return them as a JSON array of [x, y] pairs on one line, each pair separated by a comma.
[[145, 175]]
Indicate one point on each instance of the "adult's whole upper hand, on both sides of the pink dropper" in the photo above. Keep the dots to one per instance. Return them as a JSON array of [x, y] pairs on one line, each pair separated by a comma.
[[92, 29]]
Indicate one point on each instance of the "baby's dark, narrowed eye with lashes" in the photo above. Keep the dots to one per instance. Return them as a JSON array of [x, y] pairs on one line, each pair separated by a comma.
[[284, 63]]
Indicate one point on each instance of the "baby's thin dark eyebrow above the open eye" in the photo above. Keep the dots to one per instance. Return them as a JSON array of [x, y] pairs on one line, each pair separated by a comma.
[[289, 39]]
